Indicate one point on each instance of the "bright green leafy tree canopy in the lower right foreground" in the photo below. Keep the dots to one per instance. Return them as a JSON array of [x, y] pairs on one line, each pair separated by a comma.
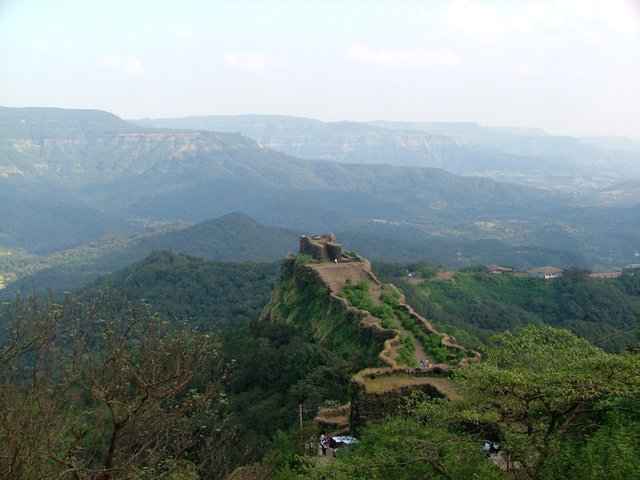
[[551, 404]]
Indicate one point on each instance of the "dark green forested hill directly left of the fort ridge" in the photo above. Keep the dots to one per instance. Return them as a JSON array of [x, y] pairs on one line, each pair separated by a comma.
[[210, 295]]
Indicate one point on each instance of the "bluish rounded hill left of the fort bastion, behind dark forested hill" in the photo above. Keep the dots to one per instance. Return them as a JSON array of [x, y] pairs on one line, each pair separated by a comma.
[[234, 237]]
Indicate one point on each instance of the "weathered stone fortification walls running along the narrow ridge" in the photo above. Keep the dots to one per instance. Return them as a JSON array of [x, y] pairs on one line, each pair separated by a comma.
[[374, 404]]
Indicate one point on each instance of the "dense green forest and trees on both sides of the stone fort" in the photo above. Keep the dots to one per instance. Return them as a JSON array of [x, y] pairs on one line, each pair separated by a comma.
[[173, 368]]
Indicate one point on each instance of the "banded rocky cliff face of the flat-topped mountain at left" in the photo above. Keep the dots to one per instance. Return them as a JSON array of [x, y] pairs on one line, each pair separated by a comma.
[[107, 157]]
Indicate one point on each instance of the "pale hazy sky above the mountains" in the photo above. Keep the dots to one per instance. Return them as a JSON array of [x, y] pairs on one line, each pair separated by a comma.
[[568, 66]]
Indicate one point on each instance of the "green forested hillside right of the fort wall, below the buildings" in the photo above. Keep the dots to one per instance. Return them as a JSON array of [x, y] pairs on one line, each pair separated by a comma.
[[604, 311]]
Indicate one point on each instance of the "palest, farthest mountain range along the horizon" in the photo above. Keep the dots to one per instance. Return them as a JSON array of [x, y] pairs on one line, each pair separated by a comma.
[[519, 155]]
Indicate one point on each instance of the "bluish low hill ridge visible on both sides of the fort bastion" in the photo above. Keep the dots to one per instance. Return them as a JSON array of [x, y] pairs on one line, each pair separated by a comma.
[[237, 237]]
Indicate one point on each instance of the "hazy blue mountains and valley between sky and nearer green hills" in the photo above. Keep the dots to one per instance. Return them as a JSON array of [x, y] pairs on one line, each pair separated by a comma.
[[72, 176]]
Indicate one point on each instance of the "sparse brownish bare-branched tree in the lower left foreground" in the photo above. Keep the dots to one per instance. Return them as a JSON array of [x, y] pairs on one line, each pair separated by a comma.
[[102, 389]]
